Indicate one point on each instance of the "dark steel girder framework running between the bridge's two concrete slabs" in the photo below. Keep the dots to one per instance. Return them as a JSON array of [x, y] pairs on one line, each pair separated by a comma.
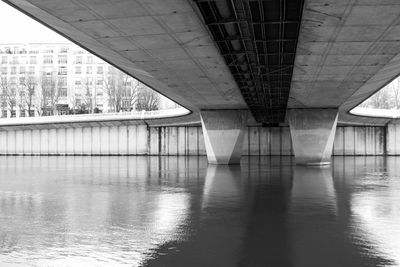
[[258, 41]]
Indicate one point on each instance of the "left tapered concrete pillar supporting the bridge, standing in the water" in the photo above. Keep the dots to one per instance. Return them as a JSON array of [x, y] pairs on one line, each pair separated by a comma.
[[223, 132]]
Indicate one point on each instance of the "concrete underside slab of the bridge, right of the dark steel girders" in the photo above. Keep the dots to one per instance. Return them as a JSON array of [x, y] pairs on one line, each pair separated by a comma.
[[346, 51]]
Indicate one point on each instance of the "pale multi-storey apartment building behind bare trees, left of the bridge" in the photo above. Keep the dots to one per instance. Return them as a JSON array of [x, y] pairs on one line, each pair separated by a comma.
[[44, 79]]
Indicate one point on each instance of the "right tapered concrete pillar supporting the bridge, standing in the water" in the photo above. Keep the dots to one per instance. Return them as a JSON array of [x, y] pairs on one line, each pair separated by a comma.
[[313, 133]]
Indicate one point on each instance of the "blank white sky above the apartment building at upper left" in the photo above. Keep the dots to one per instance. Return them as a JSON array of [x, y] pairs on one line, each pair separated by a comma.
[[23, 29]]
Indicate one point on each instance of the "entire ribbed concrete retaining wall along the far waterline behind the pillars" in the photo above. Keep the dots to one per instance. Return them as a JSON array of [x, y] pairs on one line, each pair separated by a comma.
[[142, 140]]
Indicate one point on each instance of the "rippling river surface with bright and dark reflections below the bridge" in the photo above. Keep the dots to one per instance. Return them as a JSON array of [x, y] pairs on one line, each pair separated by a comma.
[[176, 211]]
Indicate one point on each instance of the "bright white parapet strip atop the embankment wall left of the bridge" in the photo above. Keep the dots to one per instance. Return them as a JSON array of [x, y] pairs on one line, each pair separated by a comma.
[[135, 115]]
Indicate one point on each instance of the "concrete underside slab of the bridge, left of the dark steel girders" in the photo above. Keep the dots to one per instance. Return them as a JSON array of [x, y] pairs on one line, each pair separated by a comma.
[[161, 43]]
